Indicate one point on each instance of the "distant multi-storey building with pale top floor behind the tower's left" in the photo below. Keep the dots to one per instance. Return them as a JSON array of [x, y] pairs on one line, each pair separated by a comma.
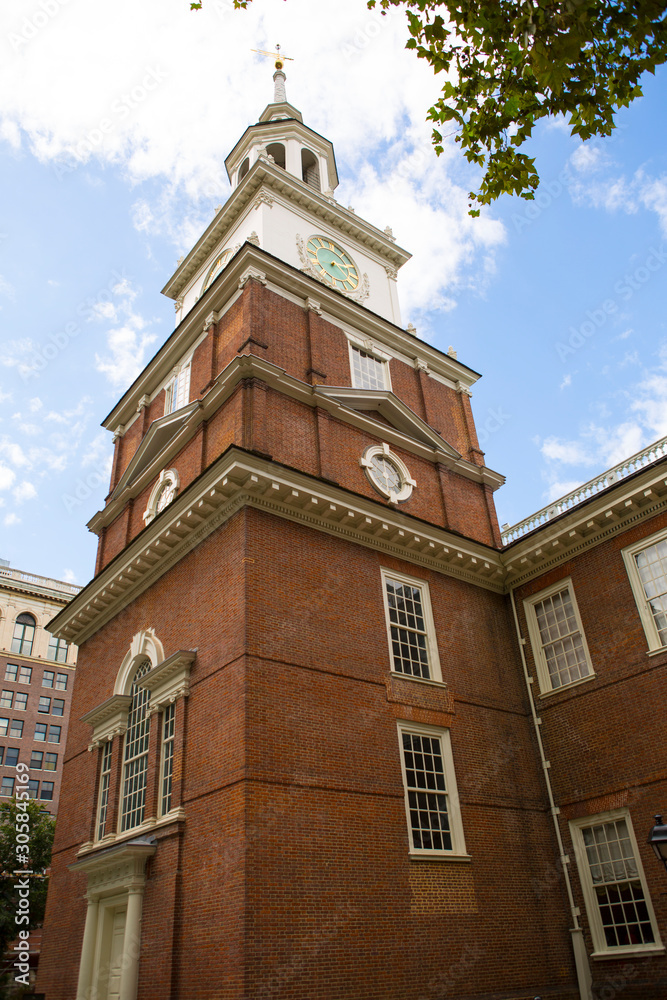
[[38, 673]]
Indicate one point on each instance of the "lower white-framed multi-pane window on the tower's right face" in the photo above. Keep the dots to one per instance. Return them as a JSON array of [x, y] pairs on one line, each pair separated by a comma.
[[431, 800]]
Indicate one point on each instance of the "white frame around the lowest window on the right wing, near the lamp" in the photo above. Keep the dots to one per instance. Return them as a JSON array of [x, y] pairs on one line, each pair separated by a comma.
[[600, 946]]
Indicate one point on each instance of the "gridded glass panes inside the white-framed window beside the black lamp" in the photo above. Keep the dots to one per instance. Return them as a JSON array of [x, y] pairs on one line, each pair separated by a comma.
[[617, 886]]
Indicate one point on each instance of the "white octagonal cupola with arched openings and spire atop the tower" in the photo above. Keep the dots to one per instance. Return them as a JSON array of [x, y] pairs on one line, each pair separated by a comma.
[[281, 135]]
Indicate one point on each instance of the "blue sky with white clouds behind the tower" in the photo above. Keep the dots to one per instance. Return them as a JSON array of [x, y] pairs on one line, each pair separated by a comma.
[[112, 140]]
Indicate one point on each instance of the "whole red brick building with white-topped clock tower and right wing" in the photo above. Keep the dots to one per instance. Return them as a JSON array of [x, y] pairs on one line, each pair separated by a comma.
[[305, 757]]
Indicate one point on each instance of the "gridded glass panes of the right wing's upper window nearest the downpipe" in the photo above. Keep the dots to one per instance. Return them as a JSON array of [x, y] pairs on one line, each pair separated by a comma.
[[561, 639]]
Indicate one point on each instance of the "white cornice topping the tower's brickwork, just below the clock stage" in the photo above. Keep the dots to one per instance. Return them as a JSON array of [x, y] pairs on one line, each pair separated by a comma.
[[296, 286]]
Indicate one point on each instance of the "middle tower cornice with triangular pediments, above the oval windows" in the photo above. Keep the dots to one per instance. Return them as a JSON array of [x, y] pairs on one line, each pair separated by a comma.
[[408, 432]]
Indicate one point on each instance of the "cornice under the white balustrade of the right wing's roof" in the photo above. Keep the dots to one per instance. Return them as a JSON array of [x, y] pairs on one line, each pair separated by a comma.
[[616, 509]]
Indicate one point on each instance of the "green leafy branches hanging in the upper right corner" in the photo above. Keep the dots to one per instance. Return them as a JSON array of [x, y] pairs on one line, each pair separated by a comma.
[[511, 63]]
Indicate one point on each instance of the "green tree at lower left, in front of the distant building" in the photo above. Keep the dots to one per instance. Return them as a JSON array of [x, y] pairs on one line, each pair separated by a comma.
[[36, 859]]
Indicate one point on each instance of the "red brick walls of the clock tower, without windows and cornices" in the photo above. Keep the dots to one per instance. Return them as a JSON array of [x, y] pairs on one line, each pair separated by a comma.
[[290, 875]]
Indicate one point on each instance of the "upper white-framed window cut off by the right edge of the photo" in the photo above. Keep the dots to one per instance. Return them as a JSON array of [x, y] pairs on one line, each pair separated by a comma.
[[647, 570]]
